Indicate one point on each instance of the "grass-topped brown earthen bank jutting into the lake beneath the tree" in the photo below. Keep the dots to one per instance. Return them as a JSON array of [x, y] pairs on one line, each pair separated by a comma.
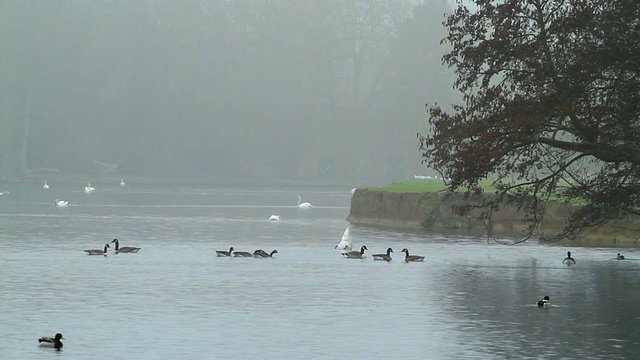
[[431, 212]]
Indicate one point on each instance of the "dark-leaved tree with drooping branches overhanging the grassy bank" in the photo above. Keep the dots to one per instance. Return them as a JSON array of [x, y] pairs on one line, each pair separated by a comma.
[[551, 98]]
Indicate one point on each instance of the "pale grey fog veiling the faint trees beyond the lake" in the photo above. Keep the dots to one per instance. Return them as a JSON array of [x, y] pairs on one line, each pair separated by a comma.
[[280, 91]]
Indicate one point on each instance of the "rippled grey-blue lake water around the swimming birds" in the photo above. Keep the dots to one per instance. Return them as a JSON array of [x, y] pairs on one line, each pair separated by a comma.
[[176, 300]]
